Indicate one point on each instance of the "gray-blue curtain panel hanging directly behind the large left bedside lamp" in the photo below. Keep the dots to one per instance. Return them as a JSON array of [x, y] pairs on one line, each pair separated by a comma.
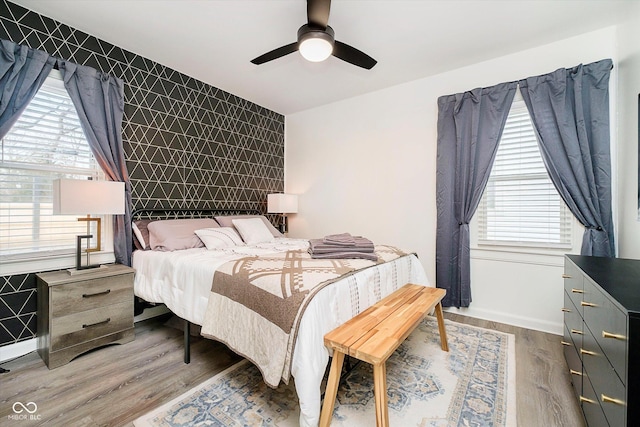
[[99, 100]]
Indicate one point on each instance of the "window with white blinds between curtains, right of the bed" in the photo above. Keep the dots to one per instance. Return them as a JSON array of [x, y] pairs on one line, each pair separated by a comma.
[[520, 206]]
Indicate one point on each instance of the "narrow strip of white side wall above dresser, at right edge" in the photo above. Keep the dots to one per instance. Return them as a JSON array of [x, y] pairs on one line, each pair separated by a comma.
[[628, 90]]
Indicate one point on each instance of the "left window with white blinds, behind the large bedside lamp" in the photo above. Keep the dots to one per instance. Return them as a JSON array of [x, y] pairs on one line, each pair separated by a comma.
[[46, 143]]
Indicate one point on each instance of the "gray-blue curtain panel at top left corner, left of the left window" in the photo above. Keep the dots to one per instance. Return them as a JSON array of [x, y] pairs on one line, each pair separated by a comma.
[[22, 73]]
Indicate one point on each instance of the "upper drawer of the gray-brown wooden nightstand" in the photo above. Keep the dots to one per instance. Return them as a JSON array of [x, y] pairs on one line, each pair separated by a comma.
[[90, 294]]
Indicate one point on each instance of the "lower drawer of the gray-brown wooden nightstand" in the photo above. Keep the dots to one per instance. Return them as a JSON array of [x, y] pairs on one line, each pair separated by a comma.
[[88, 325]]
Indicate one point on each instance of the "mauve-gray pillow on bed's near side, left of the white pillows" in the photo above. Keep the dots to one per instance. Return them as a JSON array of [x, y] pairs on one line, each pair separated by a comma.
[[175, 234]]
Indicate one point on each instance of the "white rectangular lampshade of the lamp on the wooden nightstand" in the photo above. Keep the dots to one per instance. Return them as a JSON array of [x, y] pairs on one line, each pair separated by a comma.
[[74, 196]]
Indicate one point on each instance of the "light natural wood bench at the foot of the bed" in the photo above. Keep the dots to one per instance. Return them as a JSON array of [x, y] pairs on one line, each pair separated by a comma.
[[373, 335]]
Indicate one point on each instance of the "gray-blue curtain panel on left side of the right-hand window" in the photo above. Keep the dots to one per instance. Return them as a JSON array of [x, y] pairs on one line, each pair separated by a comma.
[[469, 128]]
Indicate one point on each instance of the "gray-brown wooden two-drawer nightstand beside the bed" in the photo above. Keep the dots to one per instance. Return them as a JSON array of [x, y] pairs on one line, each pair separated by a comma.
[[78, 313]]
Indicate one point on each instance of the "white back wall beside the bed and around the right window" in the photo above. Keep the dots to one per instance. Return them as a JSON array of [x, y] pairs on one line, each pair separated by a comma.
[[366, 166]]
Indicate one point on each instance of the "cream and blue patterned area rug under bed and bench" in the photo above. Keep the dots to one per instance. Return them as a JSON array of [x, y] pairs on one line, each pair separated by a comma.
[[471, 385]]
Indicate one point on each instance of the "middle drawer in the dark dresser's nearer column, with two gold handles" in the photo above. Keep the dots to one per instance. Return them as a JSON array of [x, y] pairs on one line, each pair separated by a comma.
[[608, 388]]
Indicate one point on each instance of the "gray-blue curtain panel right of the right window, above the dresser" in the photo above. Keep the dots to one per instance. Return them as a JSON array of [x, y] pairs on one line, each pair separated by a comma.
[[570, 112]]
